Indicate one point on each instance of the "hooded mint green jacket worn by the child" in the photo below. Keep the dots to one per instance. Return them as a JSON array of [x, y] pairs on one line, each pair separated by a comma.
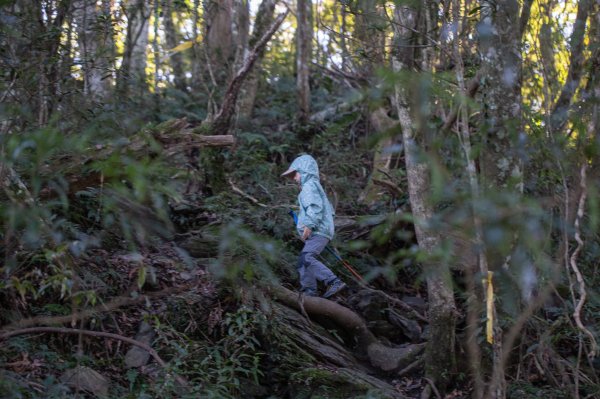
[[316, 211]]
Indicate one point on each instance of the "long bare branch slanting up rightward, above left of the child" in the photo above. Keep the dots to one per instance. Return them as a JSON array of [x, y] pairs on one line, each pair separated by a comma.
[[222, 120]]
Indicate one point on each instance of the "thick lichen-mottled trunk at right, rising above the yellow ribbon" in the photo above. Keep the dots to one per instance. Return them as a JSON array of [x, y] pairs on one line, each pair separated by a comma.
[[500, 48]]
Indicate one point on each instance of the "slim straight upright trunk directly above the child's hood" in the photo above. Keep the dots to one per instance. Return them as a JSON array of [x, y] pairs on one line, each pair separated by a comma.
[[304, 34]]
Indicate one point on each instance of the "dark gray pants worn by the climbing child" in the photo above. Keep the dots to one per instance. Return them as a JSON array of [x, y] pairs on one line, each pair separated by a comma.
[[310, 269]]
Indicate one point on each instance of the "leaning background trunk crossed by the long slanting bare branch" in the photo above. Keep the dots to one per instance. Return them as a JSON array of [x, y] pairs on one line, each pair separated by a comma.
[[264, 19]]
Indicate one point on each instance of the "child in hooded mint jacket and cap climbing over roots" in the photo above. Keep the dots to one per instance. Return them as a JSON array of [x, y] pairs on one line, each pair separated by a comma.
[[315, 226]]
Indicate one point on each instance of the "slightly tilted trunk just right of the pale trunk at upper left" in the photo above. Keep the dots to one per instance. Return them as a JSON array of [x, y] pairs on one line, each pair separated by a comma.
[[133, 67]]
